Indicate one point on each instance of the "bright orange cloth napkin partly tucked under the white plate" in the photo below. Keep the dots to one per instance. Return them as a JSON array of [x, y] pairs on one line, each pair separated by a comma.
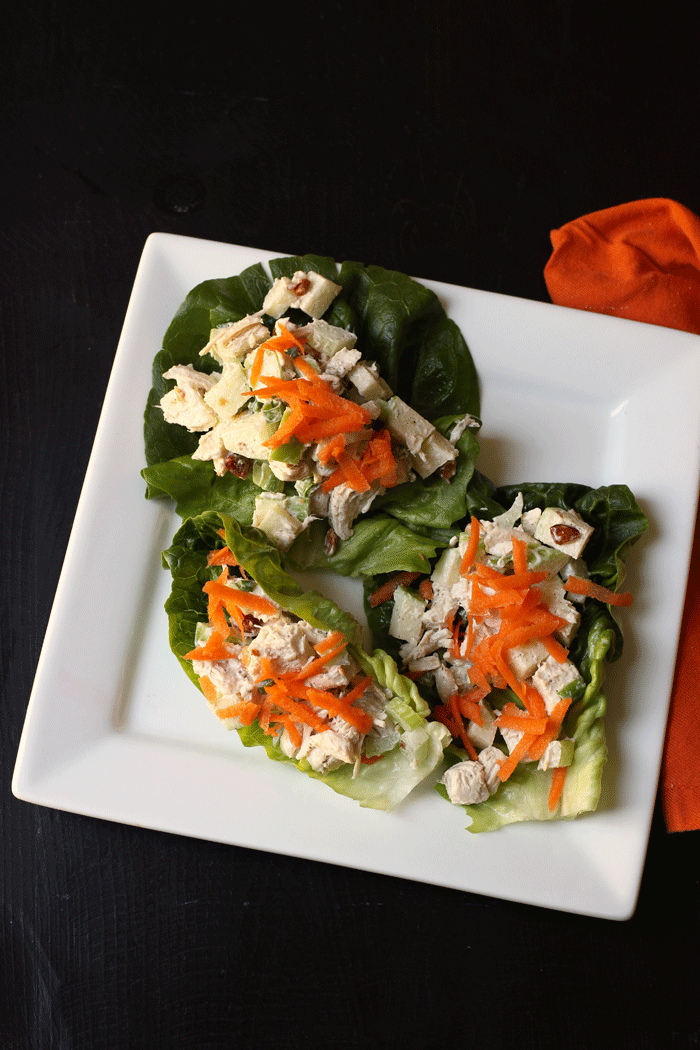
[[642, 261]]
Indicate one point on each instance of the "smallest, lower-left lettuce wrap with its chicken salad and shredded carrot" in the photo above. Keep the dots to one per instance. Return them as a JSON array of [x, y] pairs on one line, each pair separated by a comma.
[[275, 694]]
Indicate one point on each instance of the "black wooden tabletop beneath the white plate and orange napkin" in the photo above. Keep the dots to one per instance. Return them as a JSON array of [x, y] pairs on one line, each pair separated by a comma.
[[444, 140]]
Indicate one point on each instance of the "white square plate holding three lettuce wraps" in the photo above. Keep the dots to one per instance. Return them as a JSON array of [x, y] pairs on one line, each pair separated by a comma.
[[115, 730]]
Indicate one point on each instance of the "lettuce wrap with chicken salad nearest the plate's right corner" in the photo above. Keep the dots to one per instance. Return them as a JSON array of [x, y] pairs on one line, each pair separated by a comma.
[[554, 680]]
